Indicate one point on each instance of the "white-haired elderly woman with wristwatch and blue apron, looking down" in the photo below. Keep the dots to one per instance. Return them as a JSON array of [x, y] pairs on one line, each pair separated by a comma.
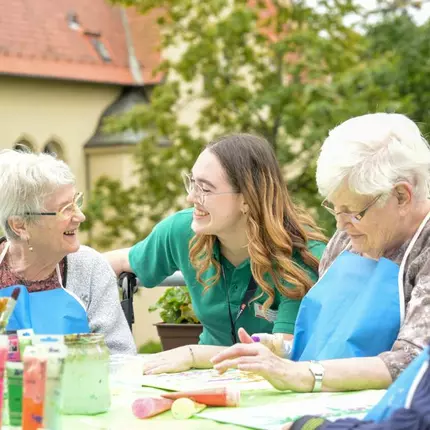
[[368, 316]]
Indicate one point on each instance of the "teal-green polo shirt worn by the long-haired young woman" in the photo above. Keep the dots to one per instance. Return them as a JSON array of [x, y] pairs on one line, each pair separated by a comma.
[[166, 250]]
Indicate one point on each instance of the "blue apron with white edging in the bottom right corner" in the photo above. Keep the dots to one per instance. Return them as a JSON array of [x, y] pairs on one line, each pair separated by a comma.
[[400, 393]]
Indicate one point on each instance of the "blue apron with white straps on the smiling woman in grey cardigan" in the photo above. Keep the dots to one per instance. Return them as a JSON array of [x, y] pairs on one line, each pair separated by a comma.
[[47, 312]]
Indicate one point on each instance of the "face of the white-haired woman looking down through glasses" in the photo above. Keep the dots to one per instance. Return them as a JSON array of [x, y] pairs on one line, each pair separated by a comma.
[[381, 228]]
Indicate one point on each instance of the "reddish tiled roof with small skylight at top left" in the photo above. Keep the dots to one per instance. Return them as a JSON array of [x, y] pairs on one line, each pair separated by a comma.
[[36, 40]]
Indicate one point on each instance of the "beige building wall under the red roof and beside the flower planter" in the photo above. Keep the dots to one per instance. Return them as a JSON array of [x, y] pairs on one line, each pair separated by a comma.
[[68, 112]]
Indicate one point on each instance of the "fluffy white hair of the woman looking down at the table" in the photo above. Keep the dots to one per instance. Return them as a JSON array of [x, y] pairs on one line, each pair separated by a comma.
[[374, 152]]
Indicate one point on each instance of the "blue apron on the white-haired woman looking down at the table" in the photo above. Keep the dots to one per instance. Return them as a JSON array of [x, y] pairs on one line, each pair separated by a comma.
[[354, 310]]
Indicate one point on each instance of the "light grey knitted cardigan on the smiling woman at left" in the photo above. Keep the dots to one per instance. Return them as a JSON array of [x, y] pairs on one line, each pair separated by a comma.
[[92, 279]]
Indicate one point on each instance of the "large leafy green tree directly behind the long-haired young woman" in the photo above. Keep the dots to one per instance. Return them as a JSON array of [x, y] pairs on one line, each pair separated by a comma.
[[282, 68]]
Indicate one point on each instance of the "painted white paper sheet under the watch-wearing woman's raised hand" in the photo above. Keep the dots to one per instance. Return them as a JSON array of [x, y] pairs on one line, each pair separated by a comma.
[[207, 378]]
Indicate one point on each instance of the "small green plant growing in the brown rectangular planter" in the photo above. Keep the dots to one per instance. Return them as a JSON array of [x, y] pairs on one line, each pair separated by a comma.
[[175, 306]]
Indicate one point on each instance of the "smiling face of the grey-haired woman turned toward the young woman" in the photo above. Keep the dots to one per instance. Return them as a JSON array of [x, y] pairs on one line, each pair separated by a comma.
[[56, 235]]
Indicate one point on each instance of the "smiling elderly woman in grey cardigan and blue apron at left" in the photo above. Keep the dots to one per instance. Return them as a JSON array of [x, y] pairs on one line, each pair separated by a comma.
[[65, 288]]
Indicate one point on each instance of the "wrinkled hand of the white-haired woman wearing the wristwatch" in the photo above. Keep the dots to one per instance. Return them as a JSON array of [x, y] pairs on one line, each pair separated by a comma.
[[255, 358]]
